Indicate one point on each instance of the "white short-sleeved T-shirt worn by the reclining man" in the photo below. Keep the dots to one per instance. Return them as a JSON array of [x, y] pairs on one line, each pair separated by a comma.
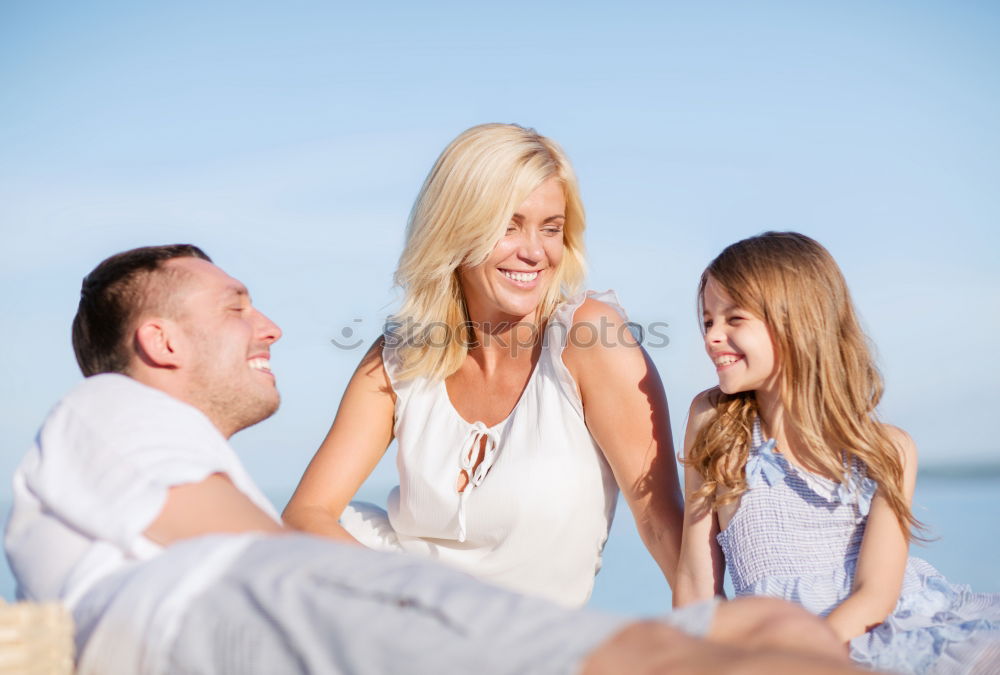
[[95, 479]]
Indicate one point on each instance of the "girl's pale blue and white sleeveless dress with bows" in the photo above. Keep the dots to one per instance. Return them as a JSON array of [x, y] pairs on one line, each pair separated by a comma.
[[796, 536]]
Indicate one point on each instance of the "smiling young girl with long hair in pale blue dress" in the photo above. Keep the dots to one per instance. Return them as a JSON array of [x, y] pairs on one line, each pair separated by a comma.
[[794, 484]]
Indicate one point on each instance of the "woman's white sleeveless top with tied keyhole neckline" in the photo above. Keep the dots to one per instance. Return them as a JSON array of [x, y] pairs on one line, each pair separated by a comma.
[[536, 512]]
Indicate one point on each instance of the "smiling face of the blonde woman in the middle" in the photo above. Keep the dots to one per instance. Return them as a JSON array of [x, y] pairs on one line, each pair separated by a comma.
[[510, 284]]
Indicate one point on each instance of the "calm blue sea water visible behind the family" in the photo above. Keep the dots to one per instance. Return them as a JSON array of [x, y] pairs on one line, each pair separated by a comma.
[[961, 510]]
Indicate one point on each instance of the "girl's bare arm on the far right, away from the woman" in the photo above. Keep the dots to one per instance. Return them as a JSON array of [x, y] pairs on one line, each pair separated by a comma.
[[878, 578]]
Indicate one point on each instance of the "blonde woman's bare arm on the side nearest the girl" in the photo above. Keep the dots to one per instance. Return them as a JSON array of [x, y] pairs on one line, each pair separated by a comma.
[[626, 412]]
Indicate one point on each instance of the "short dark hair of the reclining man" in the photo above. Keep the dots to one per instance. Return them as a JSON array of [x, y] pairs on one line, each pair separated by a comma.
[[111, 298]]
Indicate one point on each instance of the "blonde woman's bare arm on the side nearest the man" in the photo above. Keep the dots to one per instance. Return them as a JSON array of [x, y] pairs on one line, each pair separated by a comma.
[[361, 432]]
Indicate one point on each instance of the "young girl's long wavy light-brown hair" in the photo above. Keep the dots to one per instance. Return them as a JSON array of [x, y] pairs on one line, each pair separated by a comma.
[[829, 384]]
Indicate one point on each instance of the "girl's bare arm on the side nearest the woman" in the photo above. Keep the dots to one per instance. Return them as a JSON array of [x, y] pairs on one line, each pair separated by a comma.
[[702, 565]]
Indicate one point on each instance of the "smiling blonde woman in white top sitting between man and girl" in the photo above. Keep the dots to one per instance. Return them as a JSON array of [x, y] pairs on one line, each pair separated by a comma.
[[520, 404]]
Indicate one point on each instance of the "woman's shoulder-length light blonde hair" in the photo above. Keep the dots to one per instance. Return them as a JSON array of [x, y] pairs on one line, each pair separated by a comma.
[[462, 211]]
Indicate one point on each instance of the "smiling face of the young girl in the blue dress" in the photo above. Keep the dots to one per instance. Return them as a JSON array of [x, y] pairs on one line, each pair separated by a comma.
[[738, 343]]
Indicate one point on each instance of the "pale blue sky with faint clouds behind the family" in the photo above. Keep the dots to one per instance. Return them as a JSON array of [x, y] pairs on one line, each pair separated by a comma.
[[289, 140]]
